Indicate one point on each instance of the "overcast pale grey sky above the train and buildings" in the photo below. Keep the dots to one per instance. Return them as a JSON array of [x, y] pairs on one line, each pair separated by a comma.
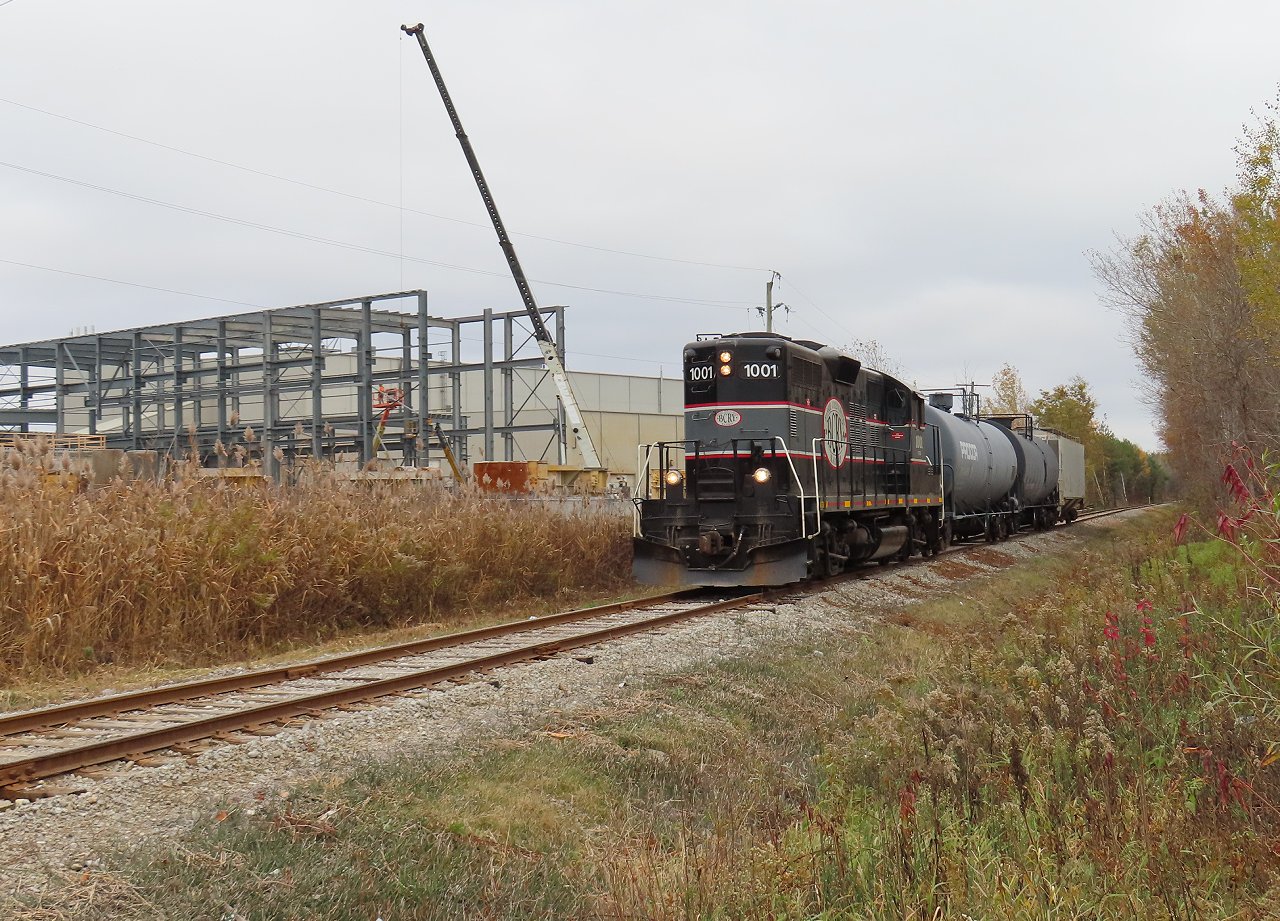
[[925, 175]]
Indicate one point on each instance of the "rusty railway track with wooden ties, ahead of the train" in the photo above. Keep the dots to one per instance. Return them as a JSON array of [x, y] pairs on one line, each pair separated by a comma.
[[62, 740]]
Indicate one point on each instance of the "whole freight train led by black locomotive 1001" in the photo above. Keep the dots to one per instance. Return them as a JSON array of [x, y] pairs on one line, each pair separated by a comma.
[[801, 462]]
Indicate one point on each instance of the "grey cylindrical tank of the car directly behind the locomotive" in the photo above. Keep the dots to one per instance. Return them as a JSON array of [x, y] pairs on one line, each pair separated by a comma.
[[980, 465]]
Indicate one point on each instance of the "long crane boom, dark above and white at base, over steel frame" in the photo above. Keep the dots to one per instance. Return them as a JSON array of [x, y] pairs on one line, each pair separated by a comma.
[[555, 366]]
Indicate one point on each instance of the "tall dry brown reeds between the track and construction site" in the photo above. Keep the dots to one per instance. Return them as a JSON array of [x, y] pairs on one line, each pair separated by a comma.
[[193, 571]]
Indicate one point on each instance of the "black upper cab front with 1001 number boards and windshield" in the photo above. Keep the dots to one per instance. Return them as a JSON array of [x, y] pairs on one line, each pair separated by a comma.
[[733, 372]]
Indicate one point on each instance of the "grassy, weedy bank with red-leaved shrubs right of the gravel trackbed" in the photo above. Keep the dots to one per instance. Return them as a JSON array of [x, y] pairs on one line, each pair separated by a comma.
[[1087, 737]]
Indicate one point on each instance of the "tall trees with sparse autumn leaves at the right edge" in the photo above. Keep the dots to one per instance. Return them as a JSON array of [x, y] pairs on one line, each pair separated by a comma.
[[1200, 287]]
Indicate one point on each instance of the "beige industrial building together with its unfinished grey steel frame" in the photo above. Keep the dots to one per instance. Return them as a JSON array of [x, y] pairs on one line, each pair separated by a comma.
[[322, 381]]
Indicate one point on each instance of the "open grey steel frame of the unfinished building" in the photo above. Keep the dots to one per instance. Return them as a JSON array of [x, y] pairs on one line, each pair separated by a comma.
[[177, 388]]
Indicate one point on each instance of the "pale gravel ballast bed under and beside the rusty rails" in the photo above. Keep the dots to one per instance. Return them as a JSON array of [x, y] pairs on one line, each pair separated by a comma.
[[580, 662]]
